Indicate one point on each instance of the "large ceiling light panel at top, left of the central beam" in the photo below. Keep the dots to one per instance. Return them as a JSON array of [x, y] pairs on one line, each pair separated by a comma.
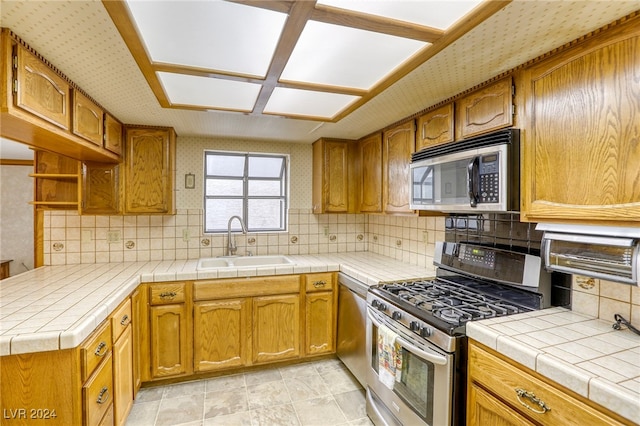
[[213, 35]]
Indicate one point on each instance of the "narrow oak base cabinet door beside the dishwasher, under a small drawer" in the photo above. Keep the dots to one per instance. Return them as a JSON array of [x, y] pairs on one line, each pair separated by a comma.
[[320, 329]]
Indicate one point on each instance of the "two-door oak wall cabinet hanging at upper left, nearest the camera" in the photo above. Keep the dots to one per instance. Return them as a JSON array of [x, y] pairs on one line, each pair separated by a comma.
[[36, 106]]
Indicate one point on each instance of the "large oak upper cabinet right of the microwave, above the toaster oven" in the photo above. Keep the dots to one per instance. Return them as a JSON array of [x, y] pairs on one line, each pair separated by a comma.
[[580, 148]]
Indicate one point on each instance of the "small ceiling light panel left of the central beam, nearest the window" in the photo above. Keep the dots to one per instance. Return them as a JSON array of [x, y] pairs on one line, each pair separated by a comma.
[[209, 93]]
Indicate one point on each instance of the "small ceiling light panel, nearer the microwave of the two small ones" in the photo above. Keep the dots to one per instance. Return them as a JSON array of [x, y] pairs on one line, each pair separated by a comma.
[[307, 103]]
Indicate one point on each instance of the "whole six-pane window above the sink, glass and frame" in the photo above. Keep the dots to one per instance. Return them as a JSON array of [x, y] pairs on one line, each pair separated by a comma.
[[252, 186]]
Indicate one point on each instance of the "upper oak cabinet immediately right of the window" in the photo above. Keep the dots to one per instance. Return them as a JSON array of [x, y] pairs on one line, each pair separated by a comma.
[[331, 176]]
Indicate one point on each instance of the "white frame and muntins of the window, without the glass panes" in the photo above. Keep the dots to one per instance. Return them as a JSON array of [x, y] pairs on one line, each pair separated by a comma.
[[283, 179]]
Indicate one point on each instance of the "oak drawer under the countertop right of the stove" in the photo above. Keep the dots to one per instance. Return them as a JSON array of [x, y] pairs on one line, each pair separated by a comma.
[[504, 380]]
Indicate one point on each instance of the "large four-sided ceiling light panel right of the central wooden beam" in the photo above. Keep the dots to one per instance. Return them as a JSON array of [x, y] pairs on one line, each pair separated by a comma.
[[333, 55]]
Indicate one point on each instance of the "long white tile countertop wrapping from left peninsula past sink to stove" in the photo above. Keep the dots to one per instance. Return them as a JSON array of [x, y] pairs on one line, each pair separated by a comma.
[[57, 307]]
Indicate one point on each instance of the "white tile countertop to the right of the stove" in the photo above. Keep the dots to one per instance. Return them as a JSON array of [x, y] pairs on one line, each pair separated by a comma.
[[579, 352]]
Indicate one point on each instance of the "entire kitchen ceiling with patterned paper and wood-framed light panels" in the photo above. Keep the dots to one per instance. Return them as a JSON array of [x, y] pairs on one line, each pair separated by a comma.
[[179, 63]]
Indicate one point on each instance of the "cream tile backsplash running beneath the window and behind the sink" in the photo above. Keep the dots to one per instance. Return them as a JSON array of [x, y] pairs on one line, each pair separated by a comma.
[[71, 239]]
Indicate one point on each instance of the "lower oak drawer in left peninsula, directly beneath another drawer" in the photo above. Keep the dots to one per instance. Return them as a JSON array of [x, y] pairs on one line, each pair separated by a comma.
[[97, 393]]
